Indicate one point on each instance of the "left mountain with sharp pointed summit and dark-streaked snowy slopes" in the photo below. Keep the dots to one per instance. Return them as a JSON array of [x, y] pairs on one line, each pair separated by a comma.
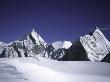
[[31, 45]]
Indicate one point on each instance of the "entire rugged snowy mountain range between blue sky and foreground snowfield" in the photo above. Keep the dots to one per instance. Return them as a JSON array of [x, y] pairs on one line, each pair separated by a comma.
[[91, 47]]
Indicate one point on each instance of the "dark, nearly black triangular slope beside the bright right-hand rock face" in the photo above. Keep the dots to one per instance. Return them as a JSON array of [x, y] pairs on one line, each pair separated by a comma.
[[75, 53]]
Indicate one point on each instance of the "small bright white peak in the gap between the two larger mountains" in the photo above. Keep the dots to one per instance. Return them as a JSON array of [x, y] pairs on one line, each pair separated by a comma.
[[59, 44]]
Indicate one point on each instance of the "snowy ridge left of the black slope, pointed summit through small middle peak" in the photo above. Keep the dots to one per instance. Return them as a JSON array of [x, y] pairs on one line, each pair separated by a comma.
[[33, 45]]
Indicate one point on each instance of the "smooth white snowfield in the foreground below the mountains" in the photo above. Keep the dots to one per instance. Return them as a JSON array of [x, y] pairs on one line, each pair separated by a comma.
[[40, 70]]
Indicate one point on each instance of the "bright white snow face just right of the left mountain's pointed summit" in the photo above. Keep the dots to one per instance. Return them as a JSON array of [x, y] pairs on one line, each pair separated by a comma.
[[37, 38]]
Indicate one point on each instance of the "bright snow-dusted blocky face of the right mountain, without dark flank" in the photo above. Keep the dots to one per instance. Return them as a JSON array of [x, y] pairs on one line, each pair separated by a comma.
[[96, 45]]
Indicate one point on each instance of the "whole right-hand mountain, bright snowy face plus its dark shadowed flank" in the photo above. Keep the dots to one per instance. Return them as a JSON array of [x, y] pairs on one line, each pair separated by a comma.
[[91, 47]]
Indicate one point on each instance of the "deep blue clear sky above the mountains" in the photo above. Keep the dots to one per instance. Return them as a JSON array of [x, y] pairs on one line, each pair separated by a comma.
[[53, 19]]
